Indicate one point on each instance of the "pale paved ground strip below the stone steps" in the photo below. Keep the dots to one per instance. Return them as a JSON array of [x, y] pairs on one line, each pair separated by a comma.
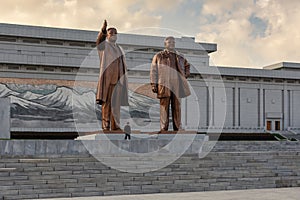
[[255, 194]]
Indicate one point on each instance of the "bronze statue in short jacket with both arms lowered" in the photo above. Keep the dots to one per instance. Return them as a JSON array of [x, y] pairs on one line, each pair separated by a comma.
[[168, 74]]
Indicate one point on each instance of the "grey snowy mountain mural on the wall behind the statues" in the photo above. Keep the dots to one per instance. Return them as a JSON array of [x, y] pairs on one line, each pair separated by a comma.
[[46, 106]]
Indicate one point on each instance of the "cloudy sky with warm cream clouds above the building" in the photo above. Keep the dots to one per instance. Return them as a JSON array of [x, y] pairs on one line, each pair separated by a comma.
[[249, 33]]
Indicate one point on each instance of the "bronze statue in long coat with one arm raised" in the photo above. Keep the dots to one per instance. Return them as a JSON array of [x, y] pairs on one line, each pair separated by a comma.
[[112, 84]]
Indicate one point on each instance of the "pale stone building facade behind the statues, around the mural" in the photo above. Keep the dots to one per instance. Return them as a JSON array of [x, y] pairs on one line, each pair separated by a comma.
[[252, 100]]
